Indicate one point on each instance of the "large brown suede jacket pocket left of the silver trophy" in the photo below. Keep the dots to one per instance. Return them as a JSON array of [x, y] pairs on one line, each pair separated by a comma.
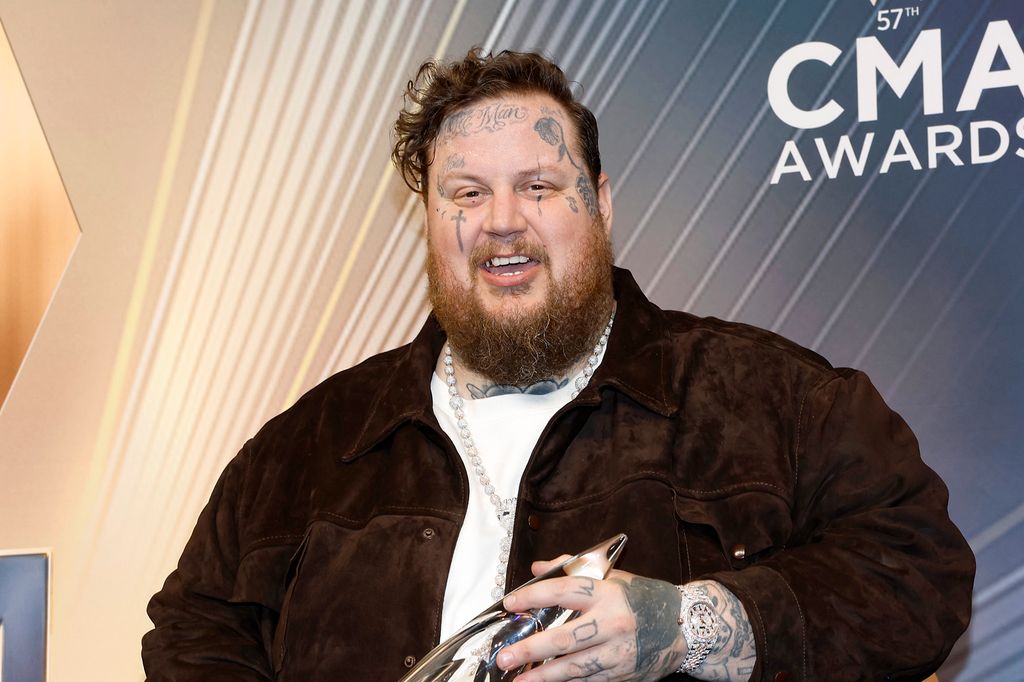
[[363, 599]]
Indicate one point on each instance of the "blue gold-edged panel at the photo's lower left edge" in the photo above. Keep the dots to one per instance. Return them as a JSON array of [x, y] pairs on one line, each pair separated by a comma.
[[24, 598]]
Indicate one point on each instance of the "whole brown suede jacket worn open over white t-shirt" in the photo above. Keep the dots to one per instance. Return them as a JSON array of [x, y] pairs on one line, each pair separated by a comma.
[[724, 452]]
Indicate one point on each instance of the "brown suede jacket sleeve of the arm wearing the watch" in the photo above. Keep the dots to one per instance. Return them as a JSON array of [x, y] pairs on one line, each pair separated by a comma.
[[876, 582]]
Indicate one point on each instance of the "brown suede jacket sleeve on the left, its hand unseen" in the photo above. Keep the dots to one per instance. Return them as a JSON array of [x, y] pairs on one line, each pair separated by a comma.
[[202, 631]]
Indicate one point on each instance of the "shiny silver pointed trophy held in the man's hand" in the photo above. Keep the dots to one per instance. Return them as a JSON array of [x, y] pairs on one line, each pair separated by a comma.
[[472, 654]]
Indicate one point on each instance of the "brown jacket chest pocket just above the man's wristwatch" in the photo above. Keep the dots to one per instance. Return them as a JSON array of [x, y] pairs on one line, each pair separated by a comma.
[[732, 532]]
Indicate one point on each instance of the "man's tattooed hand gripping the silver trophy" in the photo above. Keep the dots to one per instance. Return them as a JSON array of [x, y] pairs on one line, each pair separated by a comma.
[[628, 630]]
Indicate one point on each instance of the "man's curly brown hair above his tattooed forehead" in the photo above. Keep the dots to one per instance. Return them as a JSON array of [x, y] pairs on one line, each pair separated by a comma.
[[442, 89]]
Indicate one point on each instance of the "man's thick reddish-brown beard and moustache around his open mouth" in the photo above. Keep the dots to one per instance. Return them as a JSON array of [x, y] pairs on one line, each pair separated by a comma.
[[522, 348]]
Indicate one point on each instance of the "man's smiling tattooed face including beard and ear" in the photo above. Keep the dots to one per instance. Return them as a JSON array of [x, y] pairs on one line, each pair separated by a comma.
[[520, 261]]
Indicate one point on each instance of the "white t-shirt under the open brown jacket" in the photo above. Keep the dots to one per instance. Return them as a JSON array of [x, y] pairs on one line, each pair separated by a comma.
[[505, 430]]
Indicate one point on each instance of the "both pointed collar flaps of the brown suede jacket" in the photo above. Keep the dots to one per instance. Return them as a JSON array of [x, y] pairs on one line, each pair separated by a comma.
[[637, 363]]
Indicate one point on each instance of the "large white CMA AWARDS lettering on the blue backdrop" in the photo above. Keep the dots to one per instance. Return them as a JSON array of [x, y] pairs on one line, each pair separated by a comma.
[[978, 142]]
